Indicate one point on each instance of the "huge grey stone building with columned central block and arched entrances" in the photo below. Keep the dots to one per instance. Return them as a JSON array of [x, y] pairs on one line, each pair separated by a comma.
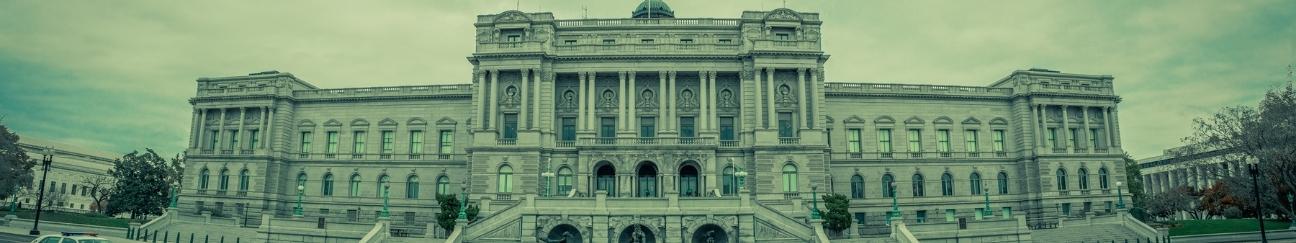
[[655, 130]]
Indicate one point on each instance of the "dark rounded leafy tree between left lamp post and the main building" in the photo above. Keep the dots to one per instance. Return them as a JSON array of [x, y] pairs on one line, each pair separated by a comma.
[[143, 184]]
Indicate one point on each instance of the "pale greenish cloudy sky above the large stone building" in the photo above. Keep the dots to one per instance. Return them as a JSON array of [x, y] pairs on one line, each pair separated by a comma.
[[117, 76]]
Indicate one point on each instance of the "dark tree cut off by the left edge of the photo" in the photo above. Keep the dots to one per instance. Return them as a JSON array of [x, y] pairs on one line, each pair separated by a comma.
[[15, 165]]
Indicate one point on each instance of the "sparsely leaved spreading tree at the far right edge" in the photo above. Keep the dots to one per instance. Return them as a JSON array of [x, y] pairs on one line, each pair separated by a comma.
[[1264, 135]]
